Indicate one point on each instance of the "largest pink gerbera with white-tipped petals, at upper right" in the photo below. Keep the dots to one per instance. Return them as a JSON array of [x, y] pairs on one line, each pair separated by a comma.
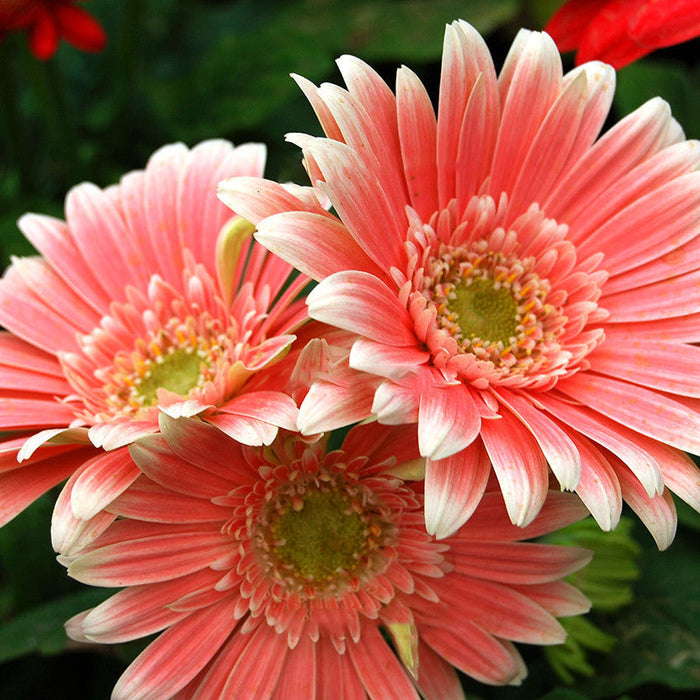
[[524, 293]]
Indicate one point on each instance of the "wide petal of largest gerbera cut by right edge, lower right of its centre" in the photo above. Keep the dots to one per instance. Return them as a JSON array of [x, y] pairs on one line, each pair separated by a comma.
[[648, 412]]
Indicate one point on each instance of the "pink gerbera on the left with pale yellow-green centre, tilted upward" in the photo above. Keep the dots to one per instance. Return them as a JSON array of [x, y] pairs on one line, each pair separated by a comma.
[[150, 297]]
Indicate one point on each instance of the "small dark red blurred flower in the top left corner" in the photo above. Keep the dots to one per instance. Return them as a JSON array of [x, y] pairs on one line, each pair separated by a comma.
[[47, 21]]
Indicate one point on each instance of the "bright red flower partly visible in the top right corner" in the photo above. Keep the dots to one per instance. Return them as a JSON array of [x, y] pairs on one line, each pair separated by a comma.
[[621, 31]]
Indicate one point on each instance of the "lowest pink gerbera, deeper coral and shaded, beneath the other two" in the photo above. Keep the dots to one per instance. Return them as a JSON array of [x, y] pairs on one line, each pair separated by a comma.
[[281, 572]]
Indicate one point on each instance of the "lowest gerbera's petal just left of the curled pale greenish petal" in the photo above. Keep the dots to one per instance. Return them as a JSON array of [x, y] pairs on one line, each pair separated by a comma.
[[373, 652]]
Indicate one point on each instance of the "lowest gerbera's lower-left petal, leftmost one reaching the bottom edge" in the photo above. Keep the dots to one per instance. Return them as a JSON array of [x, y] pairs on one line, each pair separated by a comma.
[[179, 653]]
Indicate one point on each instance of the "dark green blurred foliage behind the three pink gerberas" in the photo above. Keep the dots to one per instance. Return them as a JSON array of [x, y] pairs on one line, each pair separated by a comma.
[[194, 69]]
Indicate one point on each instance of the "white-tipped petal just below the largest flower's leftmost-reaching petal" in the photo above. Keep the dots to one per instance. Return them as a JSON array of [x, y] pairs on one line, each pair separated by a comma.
[[314, 244]]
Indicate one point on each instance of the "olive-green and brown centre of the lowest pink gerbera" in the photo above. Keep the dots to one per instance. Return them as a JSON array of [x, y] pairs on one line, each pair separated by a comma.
[[320, 535]]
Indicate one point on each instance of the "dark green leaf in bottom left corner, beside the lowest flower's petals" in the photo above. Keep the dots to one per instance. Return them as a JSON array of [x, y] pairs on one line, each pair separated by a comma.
[[41, 629]]
